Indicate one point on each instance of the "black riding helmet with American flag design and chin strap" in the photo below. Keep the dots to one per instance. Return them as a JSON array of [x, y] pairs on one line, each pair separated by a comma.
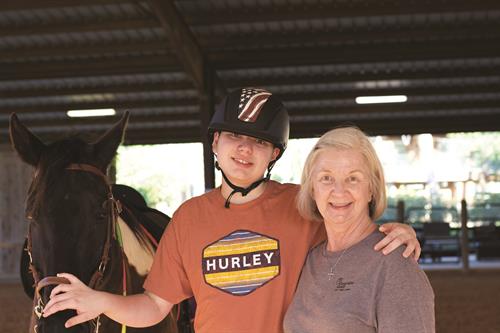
[[256, 113]]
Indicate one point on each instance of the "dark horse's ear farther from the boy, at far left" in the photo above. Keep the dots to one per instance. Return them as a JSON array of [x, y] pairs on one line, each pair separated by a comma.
[[26, 144]]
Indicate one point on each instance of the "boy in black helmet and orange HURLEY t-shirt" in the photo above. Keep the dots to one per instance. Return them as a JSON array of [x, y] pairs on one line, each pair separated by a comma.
[[238, 249]]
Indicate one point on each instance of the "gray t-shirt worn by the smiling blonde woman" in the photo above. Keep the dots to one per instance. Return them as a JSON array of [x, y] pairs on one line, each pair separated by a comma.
[[369, 292]]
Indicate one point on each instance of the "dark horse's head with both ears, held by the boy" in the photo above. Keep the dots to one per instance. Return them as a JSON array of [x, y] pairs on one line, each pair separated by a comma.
[[68, 207]]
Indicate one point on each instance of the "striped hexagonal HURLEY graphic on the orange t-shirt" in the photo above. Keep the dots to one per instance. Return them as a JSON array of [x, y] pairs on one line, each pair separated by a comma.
[[241, 262]]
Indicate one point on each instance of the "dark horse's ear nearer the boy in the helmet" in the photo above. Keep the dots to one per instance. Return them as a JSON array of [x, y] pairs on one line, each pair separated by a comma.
[[105, 147]]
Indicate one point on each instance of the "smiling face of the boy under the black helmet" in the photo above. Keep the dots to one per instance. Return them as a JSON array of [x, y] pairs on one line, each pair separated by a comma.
[[244, 159]]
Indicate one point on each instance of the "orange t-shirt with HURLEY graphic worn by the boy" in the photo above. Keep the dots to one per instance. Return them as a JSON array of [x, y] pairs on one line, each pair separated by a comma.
[[241, 264]]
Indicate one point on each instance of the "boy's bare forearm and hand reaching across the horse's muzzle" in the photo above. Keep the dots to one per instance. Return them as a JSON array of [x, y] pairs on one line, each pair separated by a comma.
[[139, 310]]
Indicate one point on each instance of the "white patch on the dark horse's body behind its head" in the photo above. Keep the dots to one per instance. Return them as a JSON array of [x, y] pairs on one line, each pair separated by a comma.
[[139, 256]]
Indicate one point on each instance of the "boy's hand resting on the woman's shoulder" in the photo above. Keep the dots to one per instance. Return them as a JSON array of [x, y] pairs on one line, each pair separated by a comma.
[[398, 234]]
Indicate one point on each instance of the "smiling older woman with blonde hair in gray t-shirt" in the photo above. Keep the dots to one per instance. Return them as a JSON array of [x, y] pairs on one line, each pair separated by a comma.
[[345, 285]]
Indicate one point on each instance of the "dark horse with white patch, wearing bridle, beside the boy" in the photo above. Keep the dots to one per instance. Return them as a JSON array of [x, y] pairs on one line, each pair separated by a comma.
[[75, 227]]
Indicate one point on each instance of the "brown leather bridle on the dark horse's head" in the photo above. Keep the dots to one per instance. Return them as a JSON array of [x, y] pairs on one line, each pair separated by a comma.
[[96, 281]]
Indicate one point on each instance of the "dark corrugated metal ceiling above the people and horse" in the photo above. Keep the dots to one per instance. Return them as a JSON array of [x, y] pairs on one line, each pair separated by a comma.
[[57, 55]]
